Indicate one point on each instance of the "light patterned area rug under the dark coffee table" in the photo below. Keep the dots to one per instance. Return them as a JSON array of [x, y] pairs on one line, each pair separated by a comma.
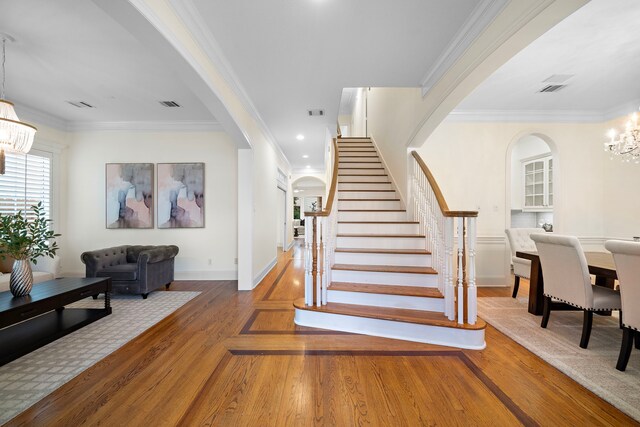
[[28, 379]]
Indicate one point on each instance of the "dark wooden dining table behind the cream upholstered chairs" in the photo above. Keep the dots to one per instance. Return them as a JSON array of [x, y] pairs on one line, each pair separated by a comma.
[[601, 265]]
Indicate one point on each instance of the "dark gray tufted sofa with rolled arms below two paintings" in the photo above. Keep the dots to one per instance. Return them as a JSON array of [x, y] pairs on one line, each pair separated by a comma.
[[133, 269]]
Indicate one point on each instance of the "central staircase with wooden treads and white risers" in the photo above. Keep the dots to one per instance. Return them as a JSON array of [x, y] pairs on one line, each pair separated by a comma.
[[377, 276]]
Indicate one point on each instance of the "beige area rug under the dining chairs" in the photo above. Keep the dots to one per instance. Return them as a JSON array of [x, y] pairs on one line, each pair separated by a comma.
[[558, 345]]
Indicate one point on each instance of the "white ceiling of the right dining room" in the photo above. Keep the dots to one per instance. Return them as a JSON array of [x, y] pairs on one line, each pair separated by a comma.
[[599, 45]]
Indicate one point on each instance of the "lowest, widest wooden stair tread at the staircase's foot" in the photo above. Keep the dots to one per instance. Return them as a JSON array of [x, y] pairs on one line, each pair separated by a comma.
[[394, 314]]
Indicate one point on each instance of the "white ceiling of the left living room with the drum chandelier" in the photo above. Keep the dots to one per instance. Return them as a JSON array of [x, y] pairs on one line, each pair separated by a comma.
[[70, 50]]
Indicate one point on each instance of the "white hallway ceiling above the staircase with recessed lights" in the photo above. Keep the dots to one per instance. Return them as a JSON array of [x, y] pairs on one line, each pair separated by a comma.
[[291, 56]]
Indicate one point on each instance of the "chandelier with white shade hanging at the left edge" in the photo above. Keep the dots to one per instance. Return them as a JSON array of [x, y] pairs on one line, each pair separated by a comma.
[[15, 136]]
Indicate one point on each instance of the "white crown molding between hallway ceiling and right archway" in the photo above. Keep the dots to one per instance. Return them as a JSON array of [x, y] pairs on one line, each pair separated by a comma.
[[478, 20]]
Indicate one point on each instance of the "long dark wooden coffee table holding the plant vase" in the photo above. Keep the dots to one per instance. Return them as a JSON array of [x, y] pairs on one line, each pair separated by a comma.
[[32, 321]]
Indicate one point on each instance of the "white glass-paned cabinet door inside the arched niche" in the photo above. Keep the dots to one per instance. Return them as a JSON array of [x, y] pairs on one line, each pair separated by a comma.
[[538, 183]]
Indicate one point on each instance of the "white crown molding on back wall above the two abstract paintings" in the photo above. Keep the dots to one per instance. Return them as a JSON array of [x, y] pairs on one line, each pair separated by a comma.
[[148, 126]]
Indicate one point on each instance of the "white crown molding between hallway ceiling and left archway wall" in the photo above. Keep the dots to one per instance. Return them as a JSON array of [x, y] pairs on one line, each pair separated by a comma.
[[188, 13]]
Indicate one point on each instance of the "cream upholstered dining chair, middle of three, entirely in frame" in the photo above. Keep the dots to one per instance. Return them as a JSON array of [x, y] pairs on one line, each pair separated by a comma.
[[567, 279]]
